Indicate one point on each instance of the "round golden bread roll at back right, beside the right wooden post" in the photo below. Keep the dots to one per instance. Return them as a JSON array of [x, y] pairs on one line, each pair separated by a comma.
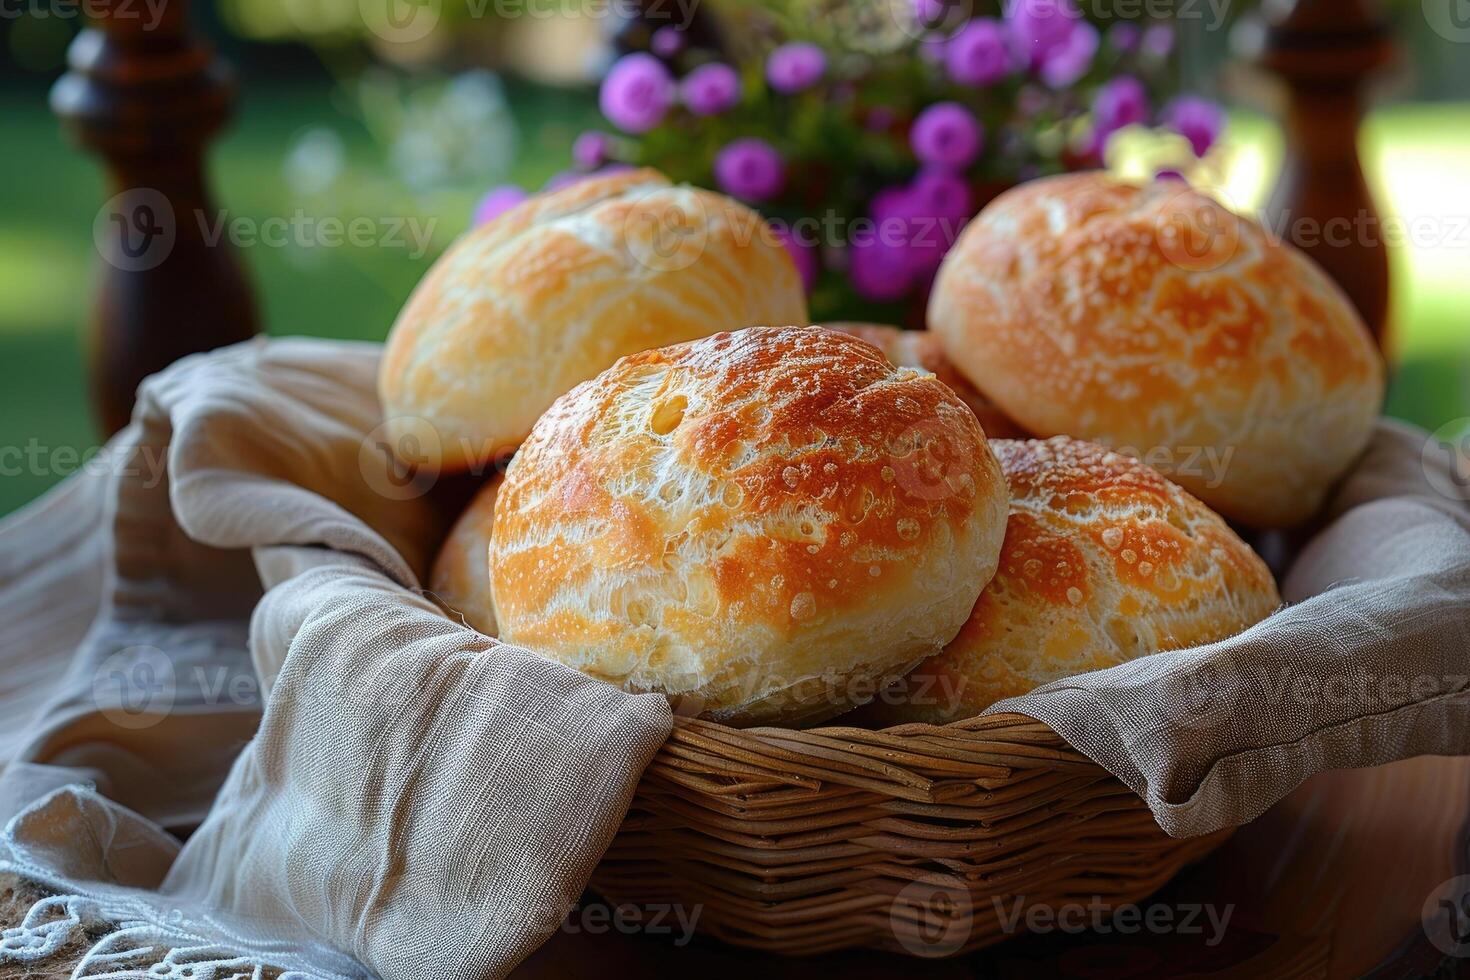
[[1159, 323]]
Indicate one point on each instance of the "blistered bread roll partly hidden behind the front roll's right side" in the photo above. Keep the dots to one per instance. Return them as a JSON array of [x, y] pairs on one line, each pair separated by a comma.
[[1105, 562]]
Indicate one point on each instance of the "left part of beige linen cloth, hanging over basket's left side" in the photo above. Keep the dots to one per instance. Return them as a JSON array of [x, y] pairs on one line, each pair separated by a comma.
[[418, 801]]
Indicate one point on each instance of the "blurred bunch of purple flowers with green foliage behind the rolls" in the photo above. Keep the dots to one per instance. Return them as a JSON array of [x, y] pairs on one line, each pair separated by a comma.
[[870, 134]]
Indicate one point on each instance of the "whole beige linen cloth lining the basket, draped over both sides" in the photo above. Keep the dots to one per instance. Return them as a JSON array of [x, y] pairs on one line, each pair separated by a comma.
[[421, 801]]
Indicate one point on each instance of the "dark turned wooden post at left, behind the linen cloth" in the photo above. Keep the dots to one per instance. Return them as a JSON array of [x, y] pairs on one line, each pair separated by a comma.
[[146, 95]]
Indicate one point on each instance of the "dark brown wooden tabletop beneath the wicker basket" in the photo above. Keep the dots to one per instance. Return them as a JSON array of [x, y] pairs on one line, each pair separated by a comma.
[[1331, 884]]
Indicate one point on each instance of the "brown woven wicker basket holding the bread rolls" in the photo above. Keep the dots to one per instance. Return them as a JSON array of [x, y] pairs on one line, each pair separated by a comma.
[[903, 840]]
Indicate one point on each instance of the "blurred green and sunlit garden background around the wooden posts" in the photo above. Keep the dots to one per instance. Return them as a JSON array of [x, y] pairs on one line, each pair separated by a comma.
[[330, 126]]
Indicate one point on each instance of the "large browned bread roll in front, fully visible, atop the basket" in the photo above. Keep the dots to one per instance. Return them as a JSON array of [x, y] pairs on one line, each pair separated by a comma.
[[765, 524]]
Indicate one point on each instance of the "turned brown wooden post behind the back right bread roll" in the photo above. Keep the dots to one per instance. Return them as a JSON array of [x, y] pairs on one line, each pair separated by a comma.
[[1325, 54]]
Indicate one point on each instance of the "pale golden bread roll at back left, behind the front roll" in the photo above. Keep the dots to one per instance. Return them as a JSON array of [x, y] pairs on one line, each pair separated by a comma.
[[558, 289]]
